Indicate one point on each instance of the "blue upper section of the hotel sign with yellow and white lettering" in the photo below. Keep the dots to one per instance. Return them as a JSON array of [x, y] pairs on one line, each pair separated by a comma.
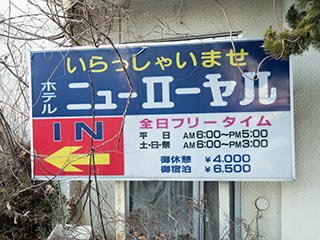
[[177, 78]]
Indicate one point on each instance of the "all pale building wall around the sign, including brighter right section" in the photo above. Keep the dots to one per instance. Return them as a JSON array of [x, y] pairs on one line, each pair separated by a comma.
[[293, 208]]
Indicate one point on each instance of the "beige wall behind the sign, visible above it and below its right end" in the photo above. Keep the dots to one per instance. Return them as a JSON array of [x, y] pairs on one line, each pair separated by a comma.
[[171, 19]]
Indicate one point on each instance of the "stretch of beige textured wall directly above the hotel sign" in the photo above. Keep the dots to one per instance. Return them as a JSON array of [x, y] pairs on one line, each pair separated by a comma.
[[182, 18]]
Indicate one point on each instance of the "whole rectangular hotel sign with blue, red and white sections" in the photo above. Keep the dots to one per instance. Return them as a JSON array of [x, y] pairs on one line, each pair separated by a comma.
[[197, 110]]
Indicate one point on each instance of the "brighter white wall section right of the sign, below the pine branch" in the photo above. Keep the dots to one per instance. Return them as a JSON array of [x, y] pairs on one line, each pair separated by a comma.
[[300, 200]]
